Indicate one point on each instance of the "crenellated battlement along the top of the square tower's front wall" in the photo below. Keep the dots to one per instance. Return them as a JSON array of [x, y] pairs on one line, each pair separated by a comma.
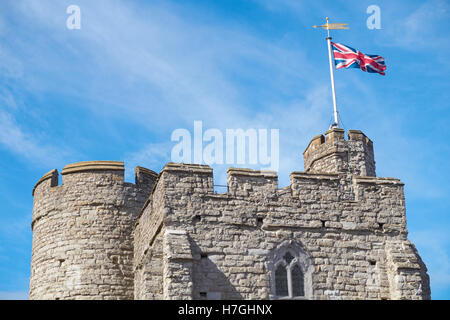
[[194, 179]]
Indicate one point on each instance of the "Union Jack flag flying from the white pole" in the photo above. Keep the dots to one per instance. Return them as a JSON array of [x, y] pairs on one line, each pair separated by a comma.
[[346, 57]]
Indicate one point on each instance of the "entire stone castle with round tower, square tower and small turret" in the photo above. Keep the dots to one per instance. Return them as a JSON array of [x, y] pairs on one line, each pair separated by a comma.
[[336, 232]]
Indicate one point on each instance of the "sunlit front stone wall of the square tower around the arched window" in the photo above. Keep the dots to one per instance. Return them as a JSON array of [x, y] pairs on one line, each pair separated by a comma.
[[349, 230]]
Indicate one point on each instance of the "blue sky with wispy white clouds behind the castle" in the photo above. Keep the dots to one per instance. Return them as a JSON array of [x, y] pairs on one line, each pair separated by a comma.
[[137, 70]]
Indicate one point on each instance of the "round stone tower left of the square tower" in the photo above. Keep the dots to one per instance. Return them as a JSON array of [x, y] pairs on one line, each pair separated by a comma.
[[82, 231]]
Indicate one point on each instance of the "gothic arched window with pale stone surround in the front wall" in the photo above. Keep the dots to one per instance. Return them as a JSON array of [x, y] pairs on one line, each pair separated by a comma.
[[291, 271]]
